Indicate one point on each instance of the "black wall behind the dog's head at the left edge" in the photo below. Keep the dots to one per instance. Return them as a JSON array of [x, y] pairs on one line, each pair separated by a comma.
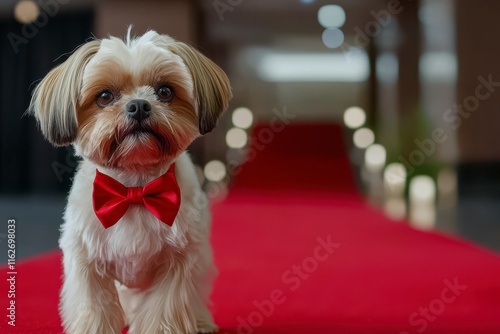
[[28, 163]]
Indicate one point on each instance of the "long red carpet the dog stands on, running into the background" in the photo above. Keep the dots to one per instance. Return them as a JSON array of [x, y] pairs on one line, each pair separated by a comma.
[[300, 252]]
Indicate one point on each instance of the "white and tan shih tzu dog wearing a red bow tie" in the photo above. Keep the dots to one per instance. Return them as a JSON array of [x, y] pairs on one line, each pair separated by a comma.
[[135, 236]]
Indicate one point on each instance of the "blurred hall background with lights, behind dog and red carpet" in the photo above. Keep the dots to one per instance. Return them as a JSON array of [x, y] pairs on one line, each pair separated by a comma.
[[415, 85]]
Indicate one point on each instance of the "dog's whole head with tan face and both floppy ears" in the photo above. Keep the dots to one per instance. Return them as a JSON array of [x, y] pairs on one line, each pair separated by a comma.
[[131, 104]]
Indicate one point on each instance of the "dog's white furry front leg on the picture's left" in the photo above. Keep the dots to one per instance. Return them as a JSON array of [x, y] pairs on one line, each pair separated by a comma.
[[89, 301]]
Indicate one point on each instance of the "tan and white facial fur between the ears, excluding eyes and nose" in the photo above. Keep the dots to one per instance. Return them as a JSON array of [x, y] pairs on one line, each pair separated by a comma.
[[135, 69]]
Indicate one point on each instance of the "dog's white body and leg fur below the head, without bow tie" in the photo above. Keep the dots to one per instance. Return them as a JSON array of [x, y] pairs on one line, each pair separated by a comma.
[[164, 273]]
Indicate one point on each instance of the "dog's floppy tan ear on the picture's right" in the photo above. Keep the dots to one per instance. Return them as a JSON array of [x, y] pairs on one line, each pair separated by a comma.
[[211, 85]]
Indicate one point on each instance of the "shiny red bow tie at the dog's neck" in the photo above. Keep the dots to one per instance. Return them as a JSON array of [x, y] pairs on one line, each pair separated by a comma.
[[111, 199]]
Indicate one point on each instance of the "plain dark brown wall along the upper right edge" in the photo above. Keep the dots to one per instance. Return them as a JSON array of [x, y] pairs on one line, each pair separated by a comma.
[[478, 54]]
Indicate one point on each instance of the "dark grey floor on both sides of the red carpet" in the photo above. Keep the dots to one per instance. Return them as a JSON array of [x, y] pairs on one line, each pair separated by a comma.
[[38, 220]]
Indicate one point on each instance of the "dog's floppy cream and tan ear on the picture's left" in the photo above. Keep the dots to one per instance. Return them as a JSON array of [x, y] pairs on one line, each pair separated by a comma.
[[55, 99]]
